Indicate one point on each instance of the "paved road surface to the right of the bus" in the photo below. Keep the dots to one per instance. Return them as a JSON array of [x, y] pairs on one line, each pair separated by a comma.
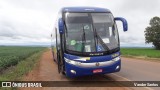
[[139, 70]]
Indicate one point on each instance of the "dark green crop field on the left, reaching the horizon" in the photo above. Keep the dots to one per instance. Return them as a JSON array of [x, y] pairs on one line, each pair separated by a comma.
[[10, 56]]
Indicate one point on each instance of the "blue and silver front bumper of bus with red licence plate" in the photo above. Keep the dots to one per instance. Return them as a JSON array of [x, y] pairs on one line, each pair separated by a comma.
[[75, 69]]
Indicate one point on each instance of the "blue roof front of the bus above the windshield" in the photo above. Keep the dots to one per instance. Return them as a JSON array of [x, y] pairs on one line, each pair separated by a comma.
[[84, 9]]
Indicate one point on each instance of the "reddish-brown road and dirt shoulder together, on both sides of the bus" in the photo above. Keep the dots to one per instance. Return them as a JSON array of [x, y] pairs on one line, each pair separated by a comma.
[[132, 69]]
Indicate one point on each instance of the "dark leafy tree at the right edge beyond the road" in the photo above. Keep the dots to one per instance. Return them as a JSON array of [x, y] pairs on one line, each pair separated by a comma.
[[152, 32]]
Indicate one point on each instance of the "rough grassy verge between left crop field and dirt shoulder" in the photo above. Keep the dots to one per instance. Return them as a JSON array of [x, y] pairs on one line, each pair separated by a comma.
[[15, 72]]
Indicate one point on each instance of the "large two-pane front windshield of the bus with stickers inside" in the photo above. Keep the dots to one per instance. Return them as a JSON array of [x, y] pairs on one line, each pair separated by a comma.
[[90, 32]]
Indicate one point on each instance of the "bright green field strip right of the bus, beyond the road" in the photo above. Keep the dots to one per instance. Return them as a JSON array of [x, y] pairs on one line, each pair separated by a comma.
[[141, 52]]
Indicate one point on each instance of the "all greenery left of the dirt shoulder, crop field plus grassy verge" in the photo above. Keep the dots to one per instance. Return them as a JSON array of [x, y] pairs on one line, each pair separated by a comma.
[[15, 62]]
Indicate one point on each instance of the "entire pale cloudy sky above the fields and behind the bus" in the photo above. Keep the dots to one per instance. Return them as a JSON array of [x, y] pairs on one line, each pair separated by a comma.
[[30, 22]]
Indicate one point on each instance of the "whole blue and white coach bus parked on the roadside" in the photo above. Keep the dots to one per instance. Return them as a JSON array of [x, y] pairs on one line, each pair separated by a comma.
[[85, 41]]
